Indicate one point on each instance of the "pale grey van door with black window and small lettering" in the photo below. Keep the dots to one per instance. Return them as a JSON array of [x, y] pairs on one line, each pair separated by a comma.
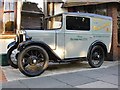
[[76, 36]]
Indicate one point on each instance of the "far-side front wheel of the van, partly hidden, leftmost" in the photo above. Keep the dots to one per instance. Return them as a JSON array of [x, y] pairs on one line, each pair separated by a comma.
[[12, 57]]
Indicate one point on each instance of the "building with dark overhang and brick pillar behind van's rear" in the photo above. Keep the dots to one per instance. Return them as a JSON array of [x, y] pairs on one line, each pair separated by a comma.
[[107, 7]]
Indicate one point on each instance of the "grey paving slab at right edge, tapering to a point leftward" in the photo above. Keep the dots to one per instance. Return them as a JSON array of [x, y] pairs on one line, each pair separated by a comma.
[[107, 75]]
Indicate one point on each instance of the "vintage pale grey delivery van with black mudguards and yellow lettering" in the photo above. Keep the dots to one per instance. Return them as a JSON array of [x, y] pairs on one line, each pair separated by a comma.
[[67, 37]]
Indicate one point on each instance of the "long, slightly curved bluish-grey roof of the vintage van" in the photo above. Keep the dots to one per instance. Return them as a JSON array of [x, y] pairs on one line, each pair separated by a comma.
[[87, 14]]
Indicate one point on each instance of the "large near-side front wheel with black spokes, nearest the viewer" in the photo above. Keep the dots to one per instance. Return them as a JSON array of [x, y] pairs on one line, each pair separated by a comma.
[[33, 61]]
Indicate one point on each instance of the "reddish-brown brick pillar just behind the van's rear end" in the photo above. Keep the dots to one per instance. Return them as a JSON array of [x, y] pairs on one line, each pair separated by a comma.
[[112, 11]]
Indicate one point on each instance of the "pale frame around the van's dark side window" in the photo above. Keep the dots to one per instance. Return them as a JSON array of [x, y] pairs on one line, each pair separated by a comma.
[[85, 30]]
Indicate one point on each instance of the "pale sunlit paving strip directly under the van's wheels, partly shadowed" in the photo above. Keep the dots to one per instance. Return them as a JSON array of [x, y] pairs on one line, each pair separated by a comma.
[[54, 69]]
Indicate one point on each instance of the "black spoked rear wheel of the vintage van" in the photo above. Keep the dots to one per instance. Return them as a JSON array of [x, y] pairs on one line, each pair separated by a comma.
[[96, 56]]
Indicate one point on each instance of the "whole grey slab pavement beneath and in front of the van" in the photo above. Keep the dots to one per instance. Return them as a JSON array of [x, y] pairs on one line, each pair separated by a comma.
[[72, 75]]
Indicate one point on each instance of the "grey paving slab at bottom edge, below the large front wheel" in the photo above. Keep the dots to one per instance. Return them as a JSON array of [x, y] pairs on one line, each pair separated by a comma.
[[43, 82]]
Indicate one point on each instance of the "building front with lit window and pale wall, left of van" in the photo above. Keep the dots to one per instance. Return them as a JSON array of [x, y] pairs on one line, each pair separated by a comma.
[[15, 15]]
